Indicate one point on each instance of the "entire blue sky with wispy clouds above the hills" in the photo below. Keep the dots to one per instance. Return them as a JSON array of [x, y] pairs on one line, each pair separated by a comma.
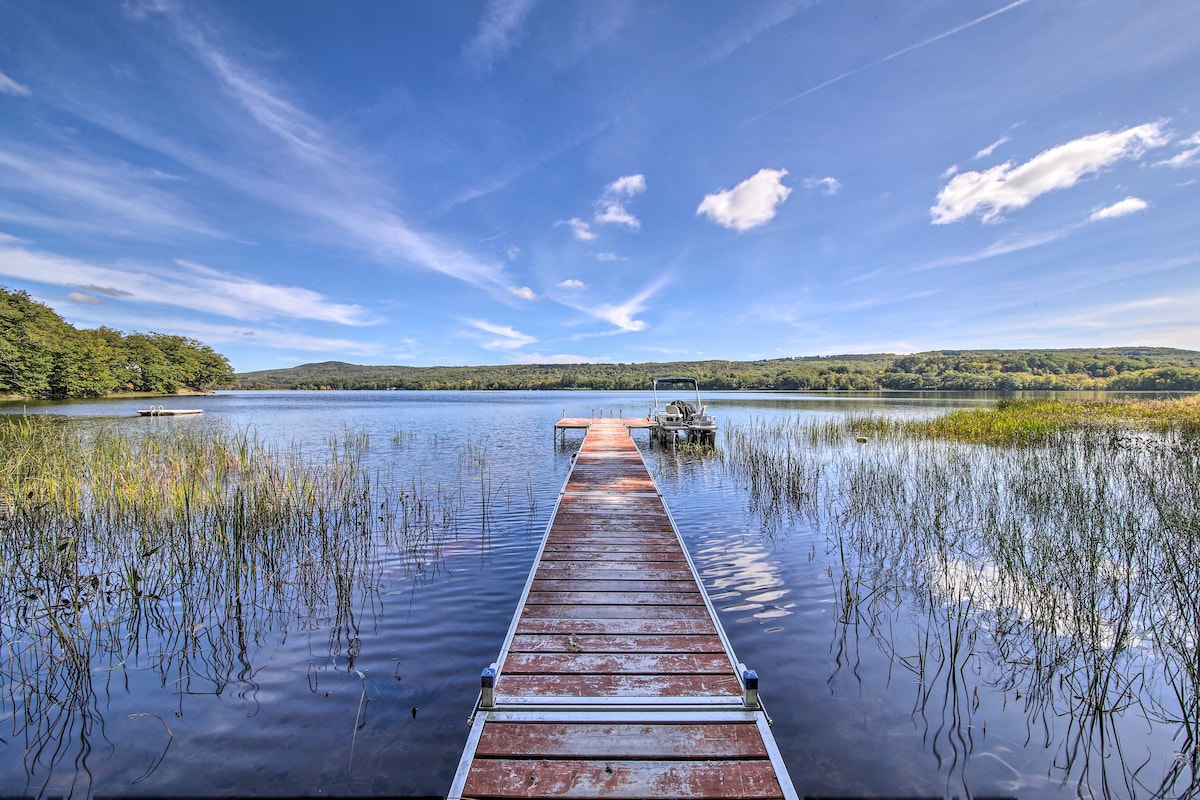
[[442, 183]]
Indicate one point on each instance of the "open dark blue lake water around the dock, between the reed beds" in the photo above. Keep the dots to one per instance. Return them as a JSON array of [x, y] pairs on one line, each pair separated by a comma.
[[375, 700]]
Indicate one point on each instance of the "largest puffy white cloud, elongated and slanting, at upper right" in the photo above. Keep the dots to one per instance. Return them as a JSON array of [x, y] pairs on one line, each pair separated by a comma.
[[1006, 188]]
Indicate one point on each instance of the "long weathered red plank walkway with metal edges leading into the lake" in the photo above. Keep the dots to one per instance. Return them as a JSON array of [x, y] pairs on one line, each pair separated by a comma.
[[616, 679]]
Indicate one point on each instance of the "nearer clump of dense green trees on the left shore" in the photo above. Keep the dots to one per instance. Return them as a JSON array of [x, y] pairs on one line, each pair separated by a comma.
[[44, 357]]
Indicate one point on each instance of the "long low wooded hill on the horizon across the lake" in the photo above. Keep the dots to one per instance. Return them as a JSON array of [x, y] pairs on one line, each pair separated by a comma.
[[1136, 369]]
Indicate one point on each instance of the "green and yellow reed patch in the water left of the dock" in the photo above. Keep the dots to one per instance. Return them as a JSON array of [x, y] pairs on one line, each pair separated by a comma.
[[177, 550]]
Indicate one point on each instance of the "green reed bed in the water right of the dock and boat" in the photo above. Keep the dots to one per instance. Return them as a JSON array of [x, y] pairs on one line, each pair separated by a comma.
[[1053, 548]]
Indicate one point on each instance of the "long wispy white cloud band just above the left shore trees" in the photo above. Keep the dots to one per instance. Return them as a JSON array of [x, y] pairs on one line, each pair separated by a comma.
[[183, 285]]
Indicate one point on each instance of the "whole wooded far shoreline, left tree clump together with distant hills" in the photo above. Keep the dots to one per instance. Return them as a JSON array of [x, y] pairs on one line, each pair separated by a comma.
[[43, 357]]
